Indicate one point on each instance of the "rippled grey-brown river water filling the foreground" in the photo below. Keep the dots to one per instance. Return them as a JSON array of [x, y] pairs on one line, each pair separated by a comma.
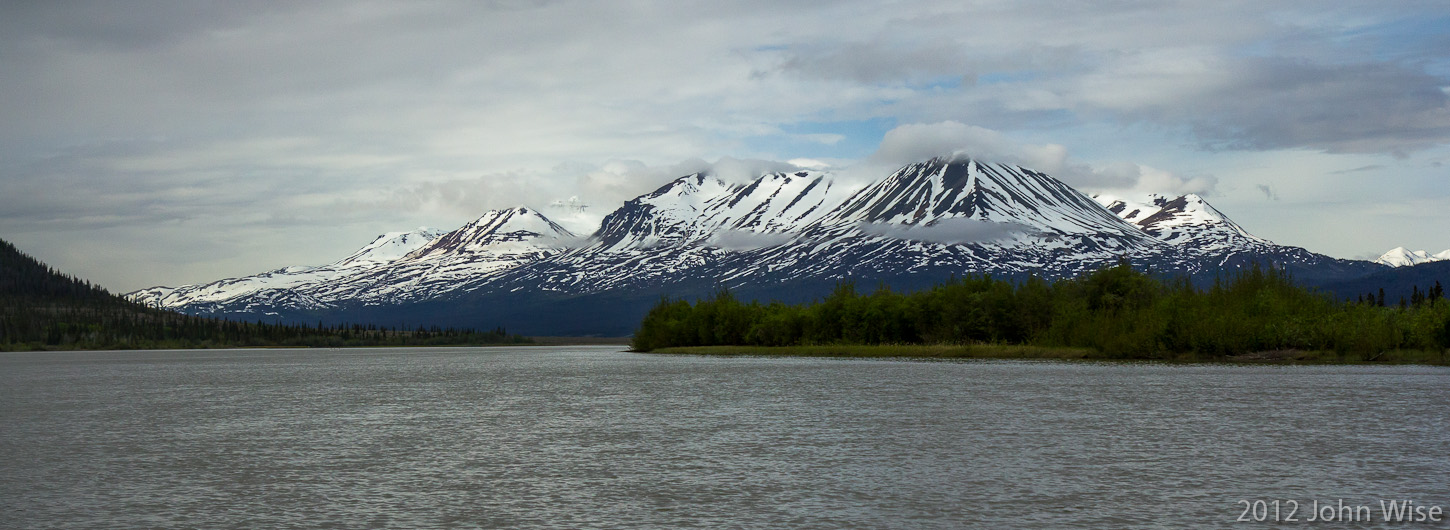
[[594, 438]]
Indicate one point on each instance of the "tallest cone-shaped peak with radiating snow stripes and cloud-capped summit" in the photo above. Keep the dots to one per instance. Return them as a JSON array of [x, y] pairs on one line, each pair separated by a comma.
[[955, 216]]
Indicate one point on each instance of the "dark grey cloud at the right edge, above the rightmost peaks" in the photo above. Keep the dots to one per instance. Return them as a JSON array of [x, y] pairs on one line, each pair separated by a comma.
[[1274, 104]]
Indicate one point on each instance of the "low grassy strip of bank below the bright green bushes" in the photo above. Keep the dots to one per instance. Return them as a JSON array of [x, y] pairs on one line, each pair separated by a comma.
[[1062, 354]]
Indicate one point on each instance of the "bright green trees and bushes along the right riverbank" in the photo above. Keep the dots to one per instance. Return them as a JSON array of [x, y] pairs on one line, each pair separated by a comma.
[[1114, 311]]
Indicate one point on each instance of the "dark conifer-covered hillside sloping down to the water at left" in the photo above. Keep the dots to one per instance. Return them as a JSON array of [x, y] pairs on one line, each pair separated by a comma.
[[43, 309]]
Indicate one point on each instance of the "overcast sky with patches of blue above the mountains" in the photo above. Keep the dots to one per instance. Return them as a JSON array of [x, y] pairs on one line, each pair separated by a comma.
[[176, 143]]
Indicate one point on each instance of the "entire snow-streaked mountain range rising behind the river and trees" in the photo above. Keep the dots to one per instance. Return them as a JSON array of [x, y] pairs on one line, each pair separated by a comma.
[[781, 237]]
